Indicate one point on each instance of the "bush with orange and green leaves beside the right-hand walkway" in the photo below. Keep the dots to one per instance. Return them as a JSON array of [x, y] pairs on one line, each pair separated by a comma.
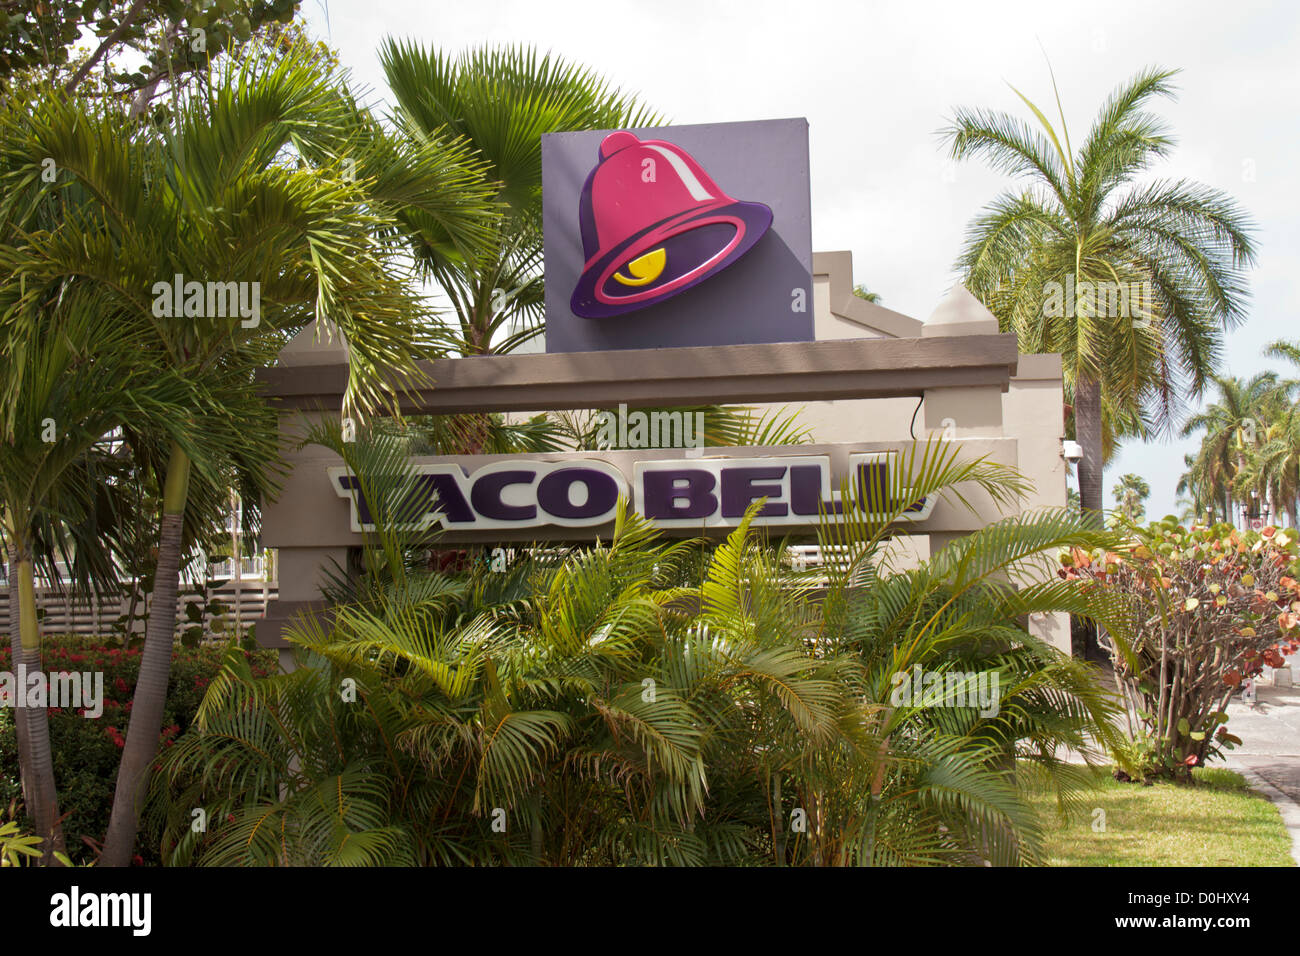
[[1211, 607]]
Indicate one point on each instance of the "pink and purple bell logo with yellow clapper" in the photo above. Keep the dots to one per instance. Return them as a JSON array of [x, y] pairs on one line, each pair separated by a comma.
[[655, 224]]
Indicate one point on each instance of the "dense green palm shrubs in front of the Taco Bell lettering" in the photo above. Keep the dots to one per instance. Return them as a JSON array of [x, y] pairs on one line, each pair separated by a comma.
[[604, 719]]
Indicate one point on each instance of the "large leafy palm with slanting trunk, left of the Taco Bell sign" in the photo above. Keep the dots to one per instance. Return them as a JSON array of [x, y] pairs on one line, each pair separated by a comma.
[[215, 201]]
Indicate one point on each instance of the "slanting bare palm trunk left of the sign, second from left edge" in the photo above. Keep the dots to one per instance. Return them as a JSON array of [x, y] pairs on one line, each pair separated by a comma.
[[146, 726]]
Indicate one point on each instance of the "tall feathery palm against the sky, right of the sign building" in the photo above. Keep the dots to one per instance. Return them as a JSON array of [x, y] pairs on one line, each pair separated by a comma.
[[1169, 256]]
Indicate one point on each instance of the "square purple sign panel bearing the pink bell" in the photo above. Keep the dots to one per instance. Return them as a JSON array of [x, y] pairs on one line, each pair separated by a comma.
[[678, 236]]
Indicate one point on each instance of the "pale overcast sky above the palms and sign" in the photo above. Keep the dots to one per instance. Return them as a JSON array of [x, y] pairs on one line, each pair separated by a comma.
[[878, 80]]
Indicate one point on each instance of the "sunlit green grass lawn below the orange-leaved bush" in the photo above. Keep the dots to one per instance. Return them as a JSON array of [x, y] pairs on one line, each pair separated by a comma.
[[1219, 821]]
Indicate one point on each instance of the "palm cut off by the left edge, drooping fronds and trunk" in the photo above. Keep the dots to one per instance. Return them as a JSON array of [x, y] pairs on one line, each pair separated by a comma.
[[76, 374]]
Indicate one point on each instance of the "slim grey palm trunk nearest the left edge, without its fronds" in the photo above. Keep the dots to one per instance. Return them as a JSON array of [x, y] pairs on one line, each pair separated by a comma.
[[44, 799]]
